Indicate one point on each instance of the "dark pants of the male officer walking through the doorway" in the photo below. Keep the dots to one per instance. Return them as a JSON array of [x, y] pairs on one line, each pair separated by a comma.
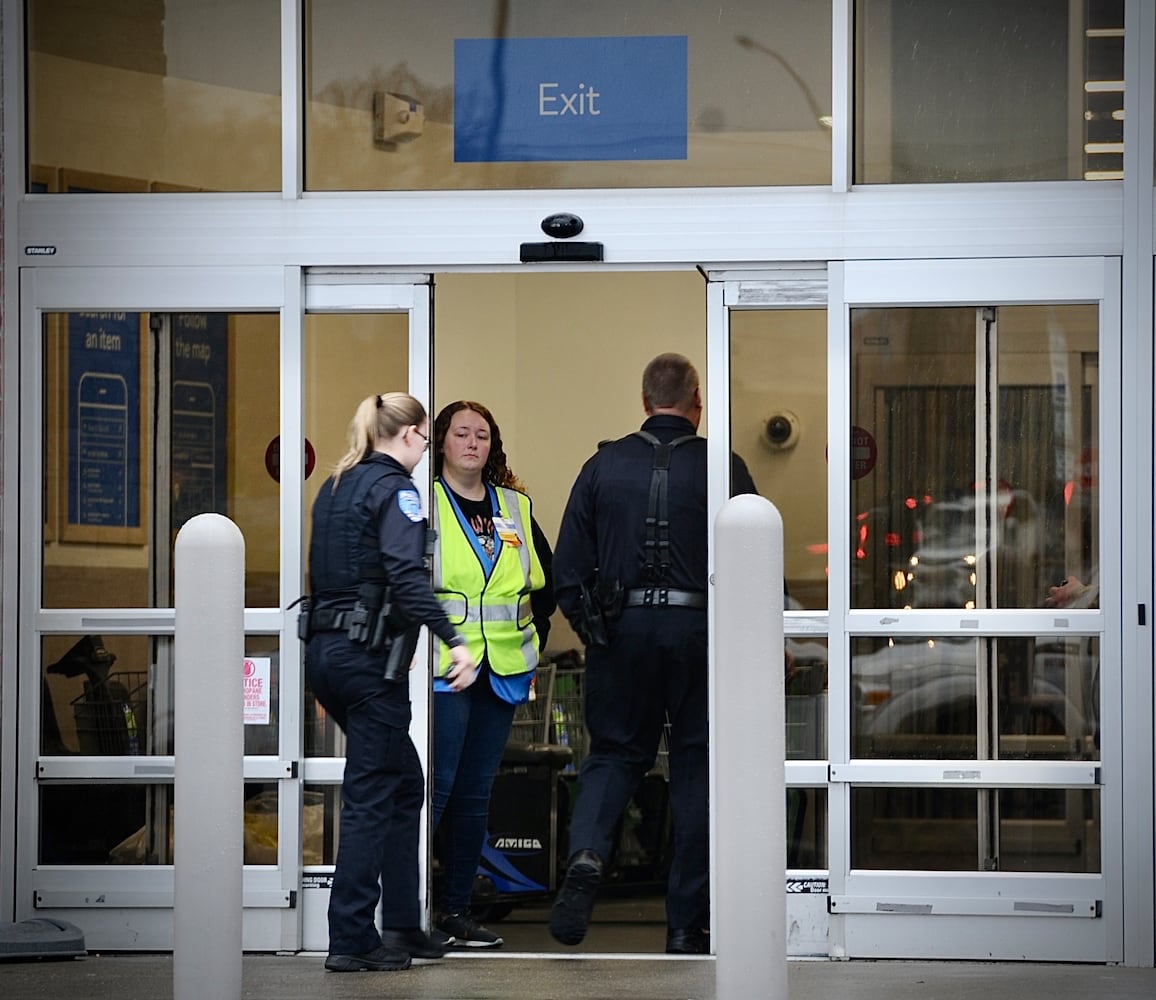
[[655, 666]]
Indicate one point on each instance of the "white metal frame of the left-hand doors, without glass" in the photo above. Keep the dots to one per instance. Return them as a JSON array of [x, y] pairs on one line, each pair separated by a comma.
[[130, 907]]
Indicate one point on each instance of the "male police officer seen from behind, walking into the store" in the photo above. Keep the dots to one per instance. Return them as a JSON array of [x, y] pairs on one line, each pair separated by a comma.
[[631, 576]]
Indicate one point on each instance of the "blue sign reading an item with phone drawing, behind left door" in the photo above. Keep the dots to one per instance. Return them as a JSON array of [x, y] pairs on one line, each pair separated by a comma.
[[105, 414]]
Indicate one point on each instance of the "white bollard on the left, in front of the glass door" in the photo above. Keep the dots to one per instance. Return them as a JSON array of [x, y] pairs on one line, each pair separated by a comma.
[[210, 745]]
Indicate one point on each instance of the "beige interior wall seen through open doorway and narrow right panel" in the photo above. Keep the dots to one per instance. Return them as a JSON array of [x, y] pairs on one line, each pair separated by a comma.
[[558, 358]]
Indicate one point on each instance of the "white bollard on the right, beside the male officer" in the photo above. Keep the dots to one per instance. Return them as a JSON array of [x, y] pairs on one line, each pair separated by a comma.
[[750, 808]]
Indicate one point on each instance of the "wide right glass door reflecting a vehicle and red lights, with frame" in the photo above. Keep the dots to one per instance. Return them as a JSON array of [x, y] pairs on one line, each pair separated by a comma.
[[974, 682]]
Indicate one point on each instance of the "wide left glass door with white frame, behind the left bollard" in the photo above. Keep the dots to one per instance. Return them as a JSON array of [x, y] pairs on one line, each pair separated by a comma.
[[139, 418]]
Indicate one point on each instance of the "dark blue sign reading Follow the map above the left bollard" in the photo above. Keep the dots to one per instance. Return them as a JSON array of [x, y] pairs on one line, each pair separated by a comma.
[[201, 399]]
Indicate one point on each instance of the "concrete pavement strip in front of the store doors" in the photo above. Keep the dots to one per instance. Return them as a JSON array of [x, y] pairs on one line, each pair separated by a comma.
[[542, 977]]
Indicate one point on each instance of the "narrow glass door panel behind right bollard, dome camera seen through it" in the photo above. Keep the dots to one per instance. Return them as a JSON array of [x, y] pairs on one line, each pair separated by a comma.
[[777, 364]]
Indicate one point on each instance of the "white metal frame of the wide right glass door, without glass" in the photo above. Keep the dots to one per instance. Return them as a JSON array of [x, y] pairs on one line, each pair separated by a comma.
[[909, 914]]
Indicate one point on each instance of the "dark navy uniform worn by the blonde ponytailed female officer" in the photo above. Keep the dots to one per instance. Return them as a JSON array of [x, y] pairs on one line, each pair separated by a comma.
[[372, 529]]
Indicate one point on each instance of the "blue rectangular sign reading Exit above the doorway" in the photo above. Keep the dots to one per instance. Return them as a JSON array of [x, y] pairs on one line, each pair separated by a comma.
[[523, 100]]
